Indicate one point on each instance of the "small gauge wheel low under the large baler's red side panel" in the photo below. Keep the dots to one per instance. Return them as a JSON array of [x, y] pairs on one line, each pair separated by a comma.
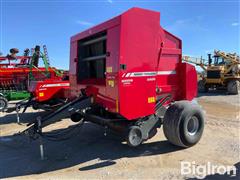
[[134, 137]]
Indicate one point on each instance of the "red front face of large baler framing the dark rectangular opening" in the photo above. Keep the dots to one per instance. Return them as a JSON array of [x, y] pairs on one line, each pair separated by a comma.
[[104, 90]]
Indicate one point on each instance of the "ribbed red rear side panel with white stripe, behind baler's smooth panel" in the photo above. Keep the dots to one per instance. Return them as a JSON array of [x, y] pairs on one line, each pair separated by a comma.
[[170, 58]]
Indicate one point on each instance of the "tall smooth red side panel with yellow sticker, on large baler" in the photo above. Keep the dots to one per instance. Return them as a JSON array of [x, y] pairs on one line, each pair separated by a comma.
[[139, 52]]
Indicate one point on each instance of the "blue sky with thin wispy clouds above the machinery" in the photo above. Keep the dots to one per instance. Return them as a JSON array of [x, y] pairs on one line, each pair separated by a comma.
[[202, 25]]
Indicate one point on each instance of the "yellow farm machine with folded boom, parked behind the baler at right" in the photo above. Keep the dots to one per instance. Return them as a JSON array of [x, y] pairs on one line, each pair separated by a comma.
[[222, 70]]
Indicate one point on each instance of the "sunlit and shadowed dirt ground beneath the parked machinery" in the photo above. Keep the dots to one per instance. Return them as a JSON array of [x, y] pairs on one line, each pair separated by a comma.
[[88, 154]]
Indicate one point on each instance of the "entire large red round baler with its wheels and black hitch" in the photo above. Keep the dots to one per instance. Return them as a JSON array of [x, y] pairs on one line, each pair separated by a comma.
[[127, 74]]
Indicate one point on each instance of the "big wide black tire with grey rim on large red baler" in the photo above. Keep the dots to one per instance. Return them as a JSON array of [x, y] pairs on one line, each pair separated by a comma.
[[176, 124]]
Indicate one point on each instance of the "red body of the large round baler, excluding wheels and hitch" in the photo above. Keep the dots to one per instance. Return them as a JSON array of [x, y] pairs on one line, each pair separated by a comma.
[[141, 62]]
